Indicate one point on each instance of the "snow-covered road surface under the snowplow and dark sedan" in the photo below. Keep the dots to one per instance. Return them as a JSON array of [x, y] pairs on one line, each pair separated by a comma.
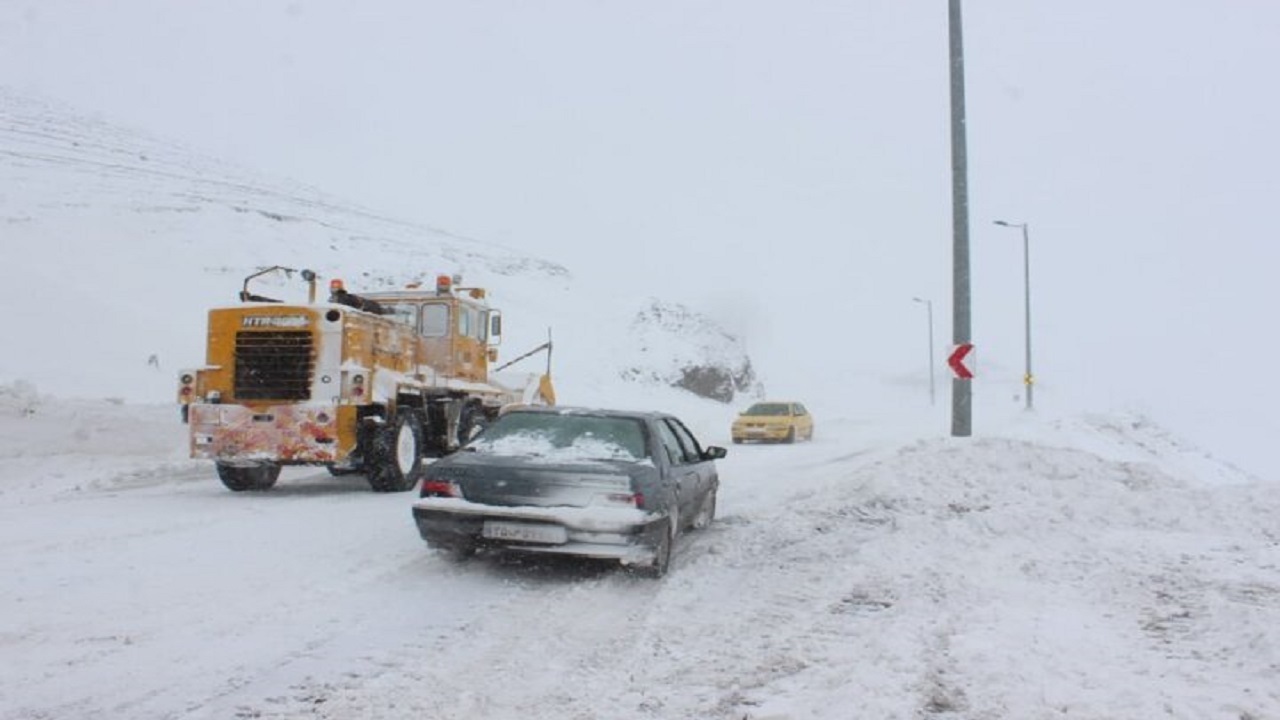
[[141, 589]]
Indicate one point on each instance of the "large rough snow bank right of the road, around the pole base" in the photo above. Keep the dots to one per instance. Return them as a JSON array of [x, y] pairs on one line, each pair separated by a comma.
[[1003, 578]]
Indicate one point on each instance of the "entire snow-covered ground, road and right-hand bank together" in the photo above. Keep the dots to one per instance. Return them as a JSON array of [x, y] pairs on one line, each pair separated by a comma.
[[1098, 571]]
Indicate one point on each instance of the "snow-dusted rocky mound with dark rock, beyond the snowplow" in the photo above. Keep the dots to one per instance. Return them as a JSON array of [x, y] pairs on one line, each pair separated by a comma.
[[680, 348]]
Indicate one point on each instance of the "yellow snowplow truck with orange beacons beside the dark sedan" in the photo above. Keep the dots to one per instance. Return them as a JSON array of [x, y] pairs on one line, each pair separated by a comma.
[[360, 384]]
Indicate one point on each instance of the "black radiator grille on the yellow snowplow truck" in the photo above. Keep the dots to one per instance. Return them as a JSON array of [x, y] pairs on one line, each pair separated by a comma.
[[273, 366]]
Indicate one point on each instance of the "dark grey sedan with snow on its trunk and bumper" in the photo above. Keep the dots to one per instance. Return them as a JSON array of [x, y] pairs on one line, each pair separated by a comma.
[[569, 481]]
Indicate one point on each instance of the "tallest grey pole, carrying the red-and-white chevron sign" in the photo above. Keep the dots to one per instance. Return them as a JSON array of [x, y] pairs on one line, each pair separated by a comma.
[[962, 389]]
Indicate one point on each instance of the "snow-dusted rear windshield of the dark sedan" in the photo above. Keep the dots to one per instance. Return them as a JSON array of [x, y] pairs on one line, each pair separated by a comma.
[[564, 438]]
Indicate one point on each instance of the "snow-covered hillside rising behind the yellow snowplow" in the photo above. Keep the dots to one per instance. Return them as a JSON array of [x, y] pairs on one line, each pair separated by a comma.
[[117, 244]]
